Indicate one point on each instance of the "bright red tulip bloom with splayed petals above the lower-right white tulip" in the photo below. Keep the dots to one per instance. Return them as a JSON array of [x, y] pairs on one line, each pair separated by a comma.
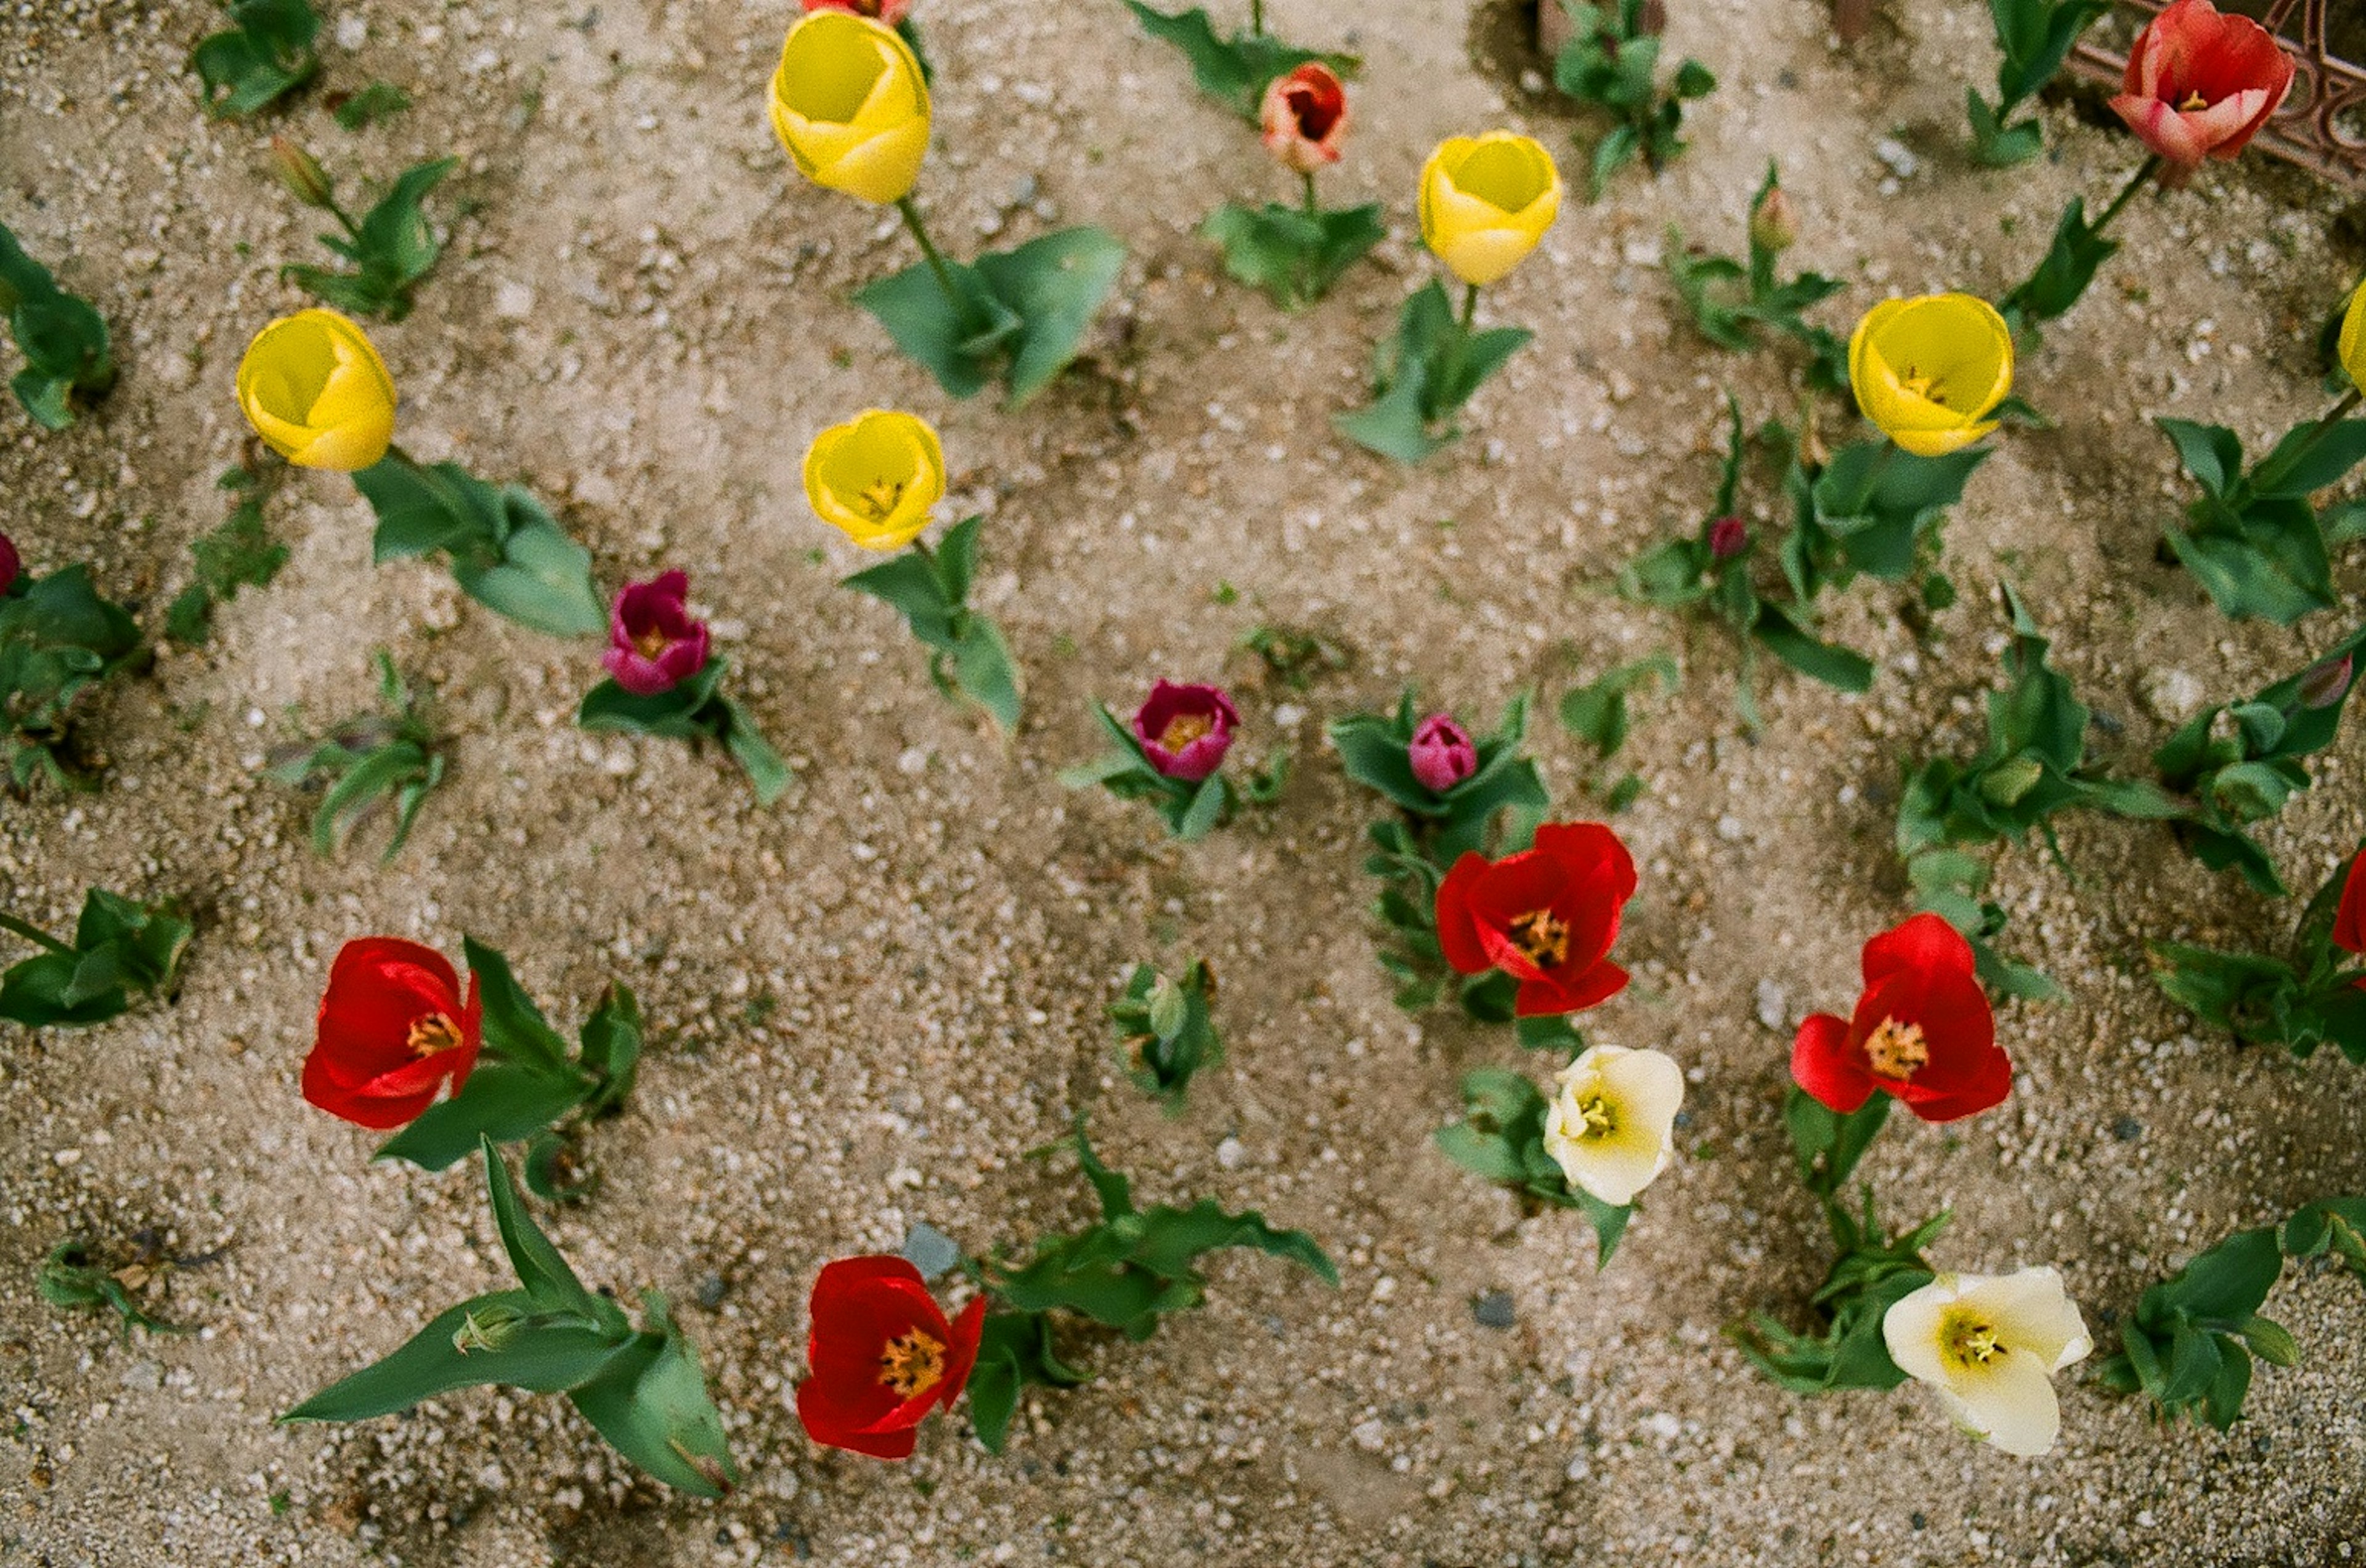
[[1925, 1032]]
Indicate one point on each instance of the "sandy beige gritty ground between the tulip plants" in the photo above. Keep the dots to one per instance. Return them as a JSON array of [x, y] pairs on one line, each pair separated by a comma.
[[879, 997]]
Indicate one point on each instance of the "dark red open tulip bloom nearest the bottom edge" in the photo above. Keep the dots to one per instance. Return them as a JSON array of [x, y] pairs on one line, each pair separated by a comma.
[[884, 1356]]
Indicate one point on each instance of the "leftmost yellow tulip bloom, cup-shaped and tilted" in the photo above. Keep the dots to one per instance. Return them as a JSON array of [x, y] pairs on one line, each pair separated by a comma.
[[318, 394]]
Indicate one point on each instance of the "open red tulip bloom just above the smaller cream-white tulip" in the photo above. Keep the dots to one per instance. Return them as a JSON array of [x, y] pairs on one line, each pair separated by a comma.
[[1546, 916]]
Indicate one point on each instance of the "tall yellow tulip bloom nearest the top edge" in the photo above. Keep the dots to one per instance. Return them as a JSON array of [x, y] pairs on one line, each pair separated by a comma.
[[851, 105]]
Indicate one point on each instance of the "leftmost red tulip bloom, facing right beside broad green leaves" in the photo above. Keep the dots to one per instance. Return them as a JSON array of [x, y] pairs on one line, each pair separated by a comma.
[[392, 1030]]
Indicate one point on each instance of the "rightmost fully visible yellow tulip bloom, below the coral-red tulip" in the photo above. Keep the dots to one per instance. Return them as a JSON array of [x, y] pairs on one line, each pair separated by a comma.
[[1932, 368]]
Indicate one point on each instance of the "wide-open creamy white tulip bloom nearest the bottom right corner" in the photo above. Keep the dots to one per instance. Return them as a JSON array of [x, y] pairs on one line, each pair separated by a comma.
[[1991, 1345]]
